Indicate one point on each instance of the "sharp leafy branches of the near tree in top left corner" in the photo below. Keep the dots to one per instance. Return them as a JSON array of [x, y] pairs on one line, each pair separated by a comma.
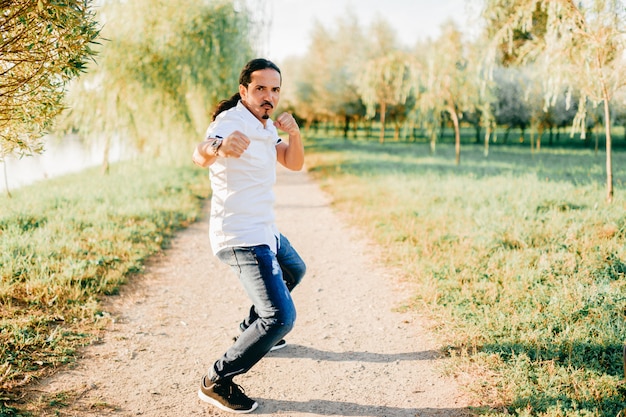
[[43, 45]]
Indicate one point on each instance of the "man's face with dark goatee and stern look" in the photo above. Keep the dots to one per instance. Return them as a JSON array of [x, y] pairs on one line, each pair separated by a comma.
[[262, 95]]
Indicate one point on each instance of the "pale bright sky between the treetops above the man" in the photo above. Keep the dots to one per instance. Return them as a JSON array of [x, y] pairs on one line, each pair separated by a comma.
[[291, 21]]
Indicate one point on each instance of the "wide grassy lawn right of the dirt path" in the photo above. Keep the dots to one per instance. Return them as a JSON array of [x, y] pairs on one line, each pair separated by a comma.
[[516, 257]]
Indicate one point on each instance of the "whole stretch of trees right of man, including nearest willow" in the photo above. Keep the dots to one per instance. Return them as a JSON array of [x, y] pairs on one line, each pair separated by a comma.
[[538, 65]]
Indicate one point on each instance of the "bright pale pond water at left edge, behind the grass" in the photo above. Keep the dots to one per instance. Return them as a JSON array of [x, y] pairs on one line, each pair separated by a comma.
[[61, 156]]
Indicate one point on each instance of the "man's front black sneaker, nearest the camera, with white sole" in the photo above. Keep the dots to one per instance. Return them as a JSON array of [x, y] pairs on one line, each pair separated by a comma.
[[226, 395]]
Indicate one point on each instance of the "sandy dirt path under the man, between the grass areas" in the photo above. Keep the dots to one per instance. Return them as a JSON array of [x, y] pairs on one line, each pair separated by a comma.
[[349, 354]]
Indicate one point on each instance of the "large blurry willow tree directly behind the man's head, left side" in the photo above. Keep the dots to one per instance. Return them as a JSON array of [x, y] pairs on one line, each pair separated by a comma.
[[164, 66]]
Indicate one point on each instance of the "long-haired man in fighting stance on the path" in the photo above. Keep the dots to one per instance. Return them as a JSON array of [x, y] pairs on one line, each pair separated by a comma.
[[241, 149]]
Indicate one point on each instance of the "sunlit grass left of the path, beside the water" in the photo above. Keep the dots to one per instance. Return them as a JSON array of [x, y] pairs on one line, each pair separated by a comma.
[[66, 243]]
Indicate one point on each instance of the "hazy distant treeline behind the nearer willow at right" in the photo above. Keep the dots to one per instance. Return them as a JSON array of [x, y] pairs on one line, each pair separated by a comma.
[[352, 76]]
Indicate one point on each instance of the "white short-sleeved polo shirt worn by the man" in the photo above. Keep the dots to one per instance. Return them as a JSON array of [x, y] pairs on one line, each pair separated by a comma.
[[242, 204]]
